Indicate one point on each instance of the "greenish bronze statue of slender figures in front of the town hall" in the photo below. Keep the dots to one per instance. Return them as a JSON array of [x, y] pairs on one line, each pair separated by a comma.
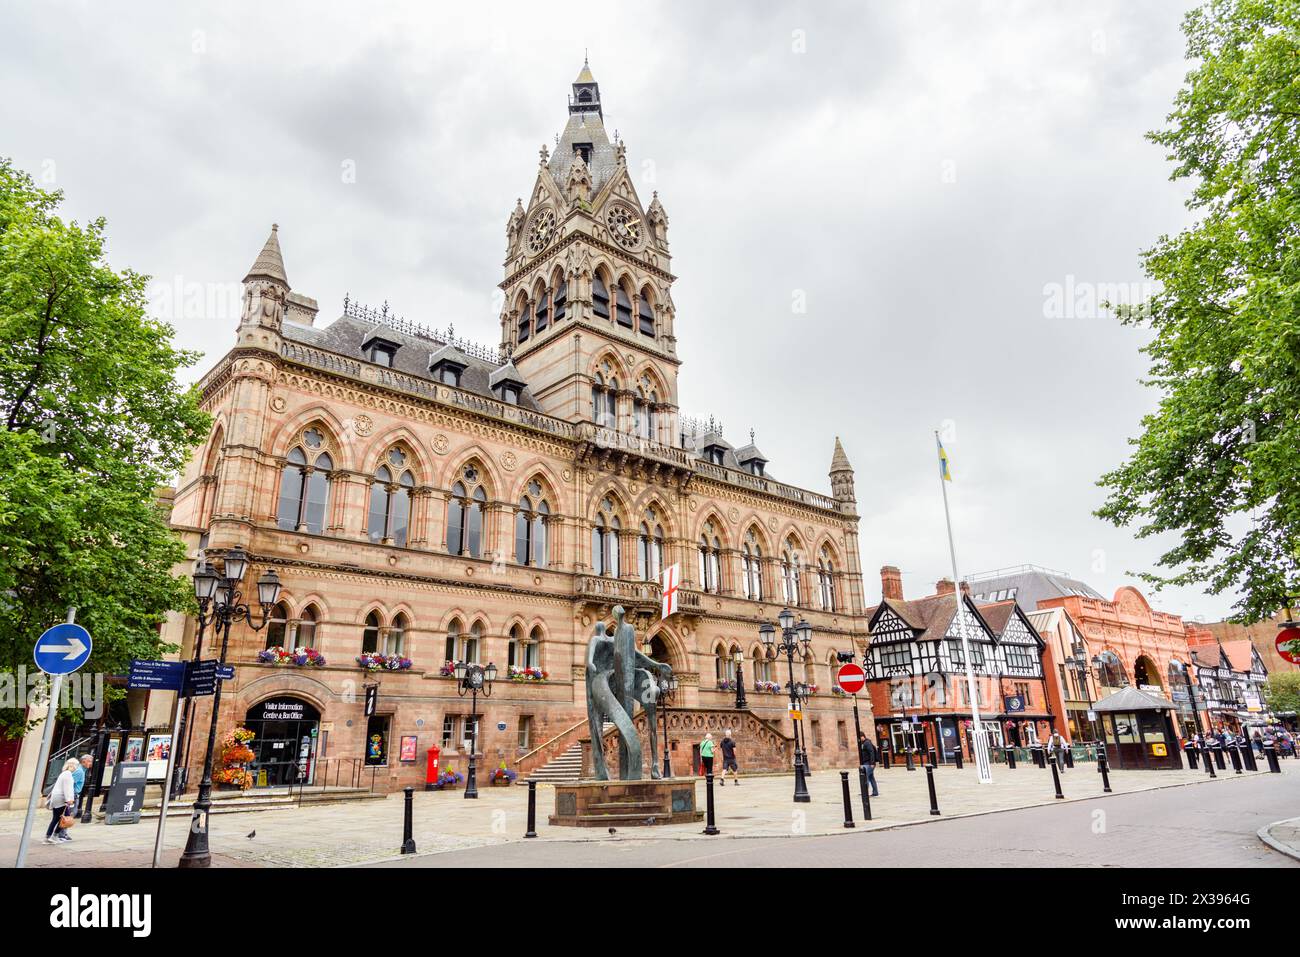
[[618, 675]]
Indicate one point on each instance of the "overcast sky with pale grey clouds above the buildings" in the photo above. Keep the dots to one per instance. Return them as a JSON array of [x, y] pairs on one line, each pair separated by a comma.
[[886, 218]]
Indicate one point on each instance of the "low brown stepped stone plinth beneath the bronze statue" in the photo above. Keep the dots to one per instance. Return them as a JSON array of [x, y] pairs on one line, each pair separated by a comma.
[[626, 804]]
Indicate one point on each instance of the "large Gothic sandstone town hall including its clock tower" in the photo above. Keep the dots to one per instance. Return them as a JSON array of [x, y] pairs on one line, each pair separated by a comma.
[[426, 499]]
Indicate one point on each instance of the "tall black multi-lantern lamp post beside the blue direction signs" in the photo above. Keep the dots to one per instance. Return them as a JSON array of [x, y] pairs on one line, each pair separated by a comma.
[[219, 603]]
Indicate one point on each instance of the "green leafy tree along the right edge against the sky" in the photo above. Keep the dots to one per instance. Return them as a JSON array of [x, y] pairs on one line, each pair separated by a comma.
[[1219, 462]]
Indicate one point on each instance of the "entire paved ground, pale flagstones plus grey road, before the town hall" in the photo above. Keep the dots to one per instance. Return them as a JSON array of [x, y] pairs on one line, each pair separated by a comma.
[[1151, 816]]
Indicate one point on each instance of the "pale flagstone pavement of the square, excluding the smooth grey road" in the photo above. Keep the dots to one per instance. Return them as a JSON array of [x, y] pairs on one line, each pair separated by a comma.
[[761, 807]]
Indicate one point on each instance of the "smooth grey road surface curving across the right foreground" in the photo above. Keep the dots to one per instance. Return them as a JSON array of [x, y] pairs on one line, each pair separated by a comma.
[[1202, 826]]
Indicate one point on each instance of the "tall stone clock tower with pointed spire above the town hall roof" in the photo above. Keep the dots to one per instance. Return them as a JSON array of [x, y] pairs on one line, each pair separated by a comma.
[[588, 317]]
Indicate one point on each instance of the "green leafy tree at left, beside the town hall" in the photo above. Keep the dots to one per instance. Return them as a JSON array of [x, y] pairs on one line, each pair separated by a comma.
[[93, 423]]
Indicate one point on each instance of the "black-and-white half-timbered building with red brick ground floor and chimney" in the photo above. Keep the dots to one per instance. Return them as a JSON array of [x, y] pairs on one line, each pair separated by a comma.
[[917, 670]]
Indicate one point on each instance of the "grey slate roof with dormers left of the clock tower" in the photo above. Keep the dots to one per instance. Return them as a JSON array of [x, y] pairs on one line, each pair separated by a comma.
[[348, 334]]
